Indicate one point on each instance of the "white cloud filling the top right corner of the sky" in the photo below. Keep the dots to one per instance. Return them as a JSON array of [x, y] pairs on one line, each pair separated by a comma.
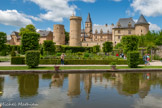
[[148, 7]]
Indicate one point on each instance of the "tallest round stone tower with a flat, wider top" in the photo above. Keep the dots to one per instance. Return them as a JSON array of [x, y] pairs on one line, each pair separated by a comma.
[[75, 31]]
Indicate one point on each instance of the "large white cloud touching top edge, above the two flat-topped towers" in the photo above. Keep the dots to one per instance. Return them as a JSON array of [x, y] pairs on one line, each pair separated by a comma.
[[56, 10]]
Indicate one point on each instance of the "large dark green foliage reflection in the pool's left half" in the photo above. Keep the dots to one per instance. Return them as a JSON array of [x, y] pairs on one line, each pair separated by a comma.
[[28, 85]]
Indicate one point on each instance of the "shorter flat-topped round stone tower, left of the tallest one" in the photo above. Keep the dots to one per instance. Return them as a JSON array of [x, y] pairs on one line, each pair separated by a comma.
[[59, 34]]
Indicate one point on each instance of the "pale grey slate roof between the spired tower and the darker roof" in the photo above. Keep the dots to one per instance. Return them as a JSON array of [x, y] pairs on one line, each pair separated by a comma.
[[105, 28]]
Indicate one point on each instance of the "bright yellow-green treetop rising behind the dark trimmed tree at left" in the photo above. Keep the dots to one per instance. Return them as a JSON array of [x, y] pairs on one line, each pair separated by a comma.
[[28, 28]]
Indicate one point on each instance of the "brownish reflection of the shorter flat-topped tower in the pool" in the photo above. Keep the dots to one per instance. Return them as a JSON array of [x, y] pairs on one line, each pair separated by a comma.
[[57, 80]]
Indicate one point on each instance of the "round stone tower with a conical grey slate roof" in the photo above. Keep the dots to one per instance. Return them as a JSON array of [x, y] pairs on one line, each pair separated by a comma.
[[142, 26]]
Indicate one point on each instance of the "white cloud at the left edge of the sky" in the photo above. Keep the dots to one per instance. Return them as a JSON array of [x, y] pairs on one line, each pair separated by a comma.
[[14, 18]]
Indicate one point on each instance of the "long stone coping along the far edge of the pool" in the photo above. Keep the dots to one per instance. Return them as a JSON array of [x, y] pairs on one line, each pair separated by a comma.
[[77, 71]]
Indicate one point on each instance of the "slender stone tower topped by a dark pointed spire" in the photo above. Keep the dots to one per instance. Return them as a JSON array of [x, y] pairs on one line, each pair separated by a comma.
[[88, 26]]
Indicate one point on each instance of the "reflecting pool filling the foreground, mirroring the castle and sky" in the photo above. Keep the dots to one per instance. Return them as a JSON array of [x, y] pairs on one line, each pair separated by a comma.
[[106, 90]]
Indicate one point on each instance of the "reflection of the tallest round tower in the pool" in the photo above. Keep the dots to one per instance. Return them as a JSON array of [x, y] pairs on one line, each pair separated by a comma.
[[74, 85]]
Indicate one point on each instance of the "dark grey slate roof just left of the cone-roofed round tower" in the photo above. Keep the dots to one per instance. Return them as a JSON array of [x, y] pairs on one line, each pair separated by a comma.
[[124, 22]]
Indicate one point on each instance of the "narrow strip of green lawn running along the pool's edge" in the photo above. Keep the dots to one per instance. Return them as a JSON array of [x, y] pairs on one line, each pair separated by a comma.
[[74, 67]]
